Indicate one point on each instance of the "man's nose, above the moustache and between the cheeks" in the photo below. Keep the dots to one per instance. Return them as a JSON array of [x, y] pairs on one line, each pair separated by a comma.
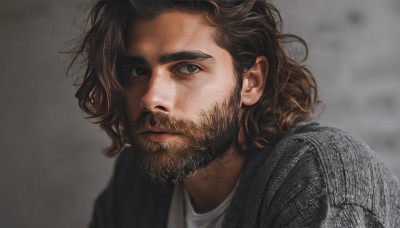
[[159, 96]]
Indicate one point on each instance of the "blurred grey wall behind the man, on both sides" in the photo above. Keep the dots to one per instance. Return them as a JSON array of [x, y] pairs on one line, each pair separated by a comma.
[[50, 156]]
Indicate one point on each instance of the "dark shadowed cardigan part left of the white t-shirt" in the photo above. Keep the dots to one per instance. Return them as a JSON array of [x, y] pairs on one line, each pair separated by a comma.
[[121, 203]]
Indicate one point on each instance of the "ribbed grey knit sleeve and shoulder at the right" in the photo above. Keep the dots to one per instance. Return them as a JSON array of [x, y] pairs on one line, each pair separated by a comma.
[[323, 177]]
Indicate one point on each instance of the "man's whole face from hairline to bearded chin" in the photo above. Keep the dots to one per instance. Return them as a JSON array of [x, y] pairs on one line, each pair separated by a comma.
[[181, 93]]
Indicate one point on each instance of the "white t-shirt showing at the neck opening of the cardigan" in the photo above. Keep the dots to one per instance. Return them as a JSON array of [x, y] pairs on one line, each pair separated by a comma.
[[182, 214]]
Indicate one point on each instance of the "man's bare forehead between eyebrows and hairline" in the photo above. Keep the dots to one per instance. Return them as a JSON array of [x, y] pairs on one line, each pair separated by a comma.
[[171, 32]]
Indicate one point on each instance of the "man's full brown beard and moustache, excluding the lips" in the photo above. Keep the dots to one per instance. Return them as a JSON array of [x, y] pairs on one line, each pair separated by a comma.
[[198, 145]]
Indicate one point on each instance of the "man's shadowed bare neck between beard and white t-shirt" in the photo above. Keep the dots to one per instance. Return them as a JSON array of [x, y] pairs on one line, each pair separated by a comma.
[[213, 183]]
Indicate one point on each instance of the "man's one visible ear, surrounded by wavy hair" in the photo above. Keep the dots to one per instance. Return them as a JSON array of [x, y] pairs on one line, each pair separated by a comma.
[[254, 80]]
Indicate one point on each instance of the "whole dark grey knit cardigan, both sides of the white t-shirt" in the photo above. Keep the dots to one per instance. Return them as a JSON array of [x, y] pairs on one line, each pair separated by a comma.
[[315, 177]]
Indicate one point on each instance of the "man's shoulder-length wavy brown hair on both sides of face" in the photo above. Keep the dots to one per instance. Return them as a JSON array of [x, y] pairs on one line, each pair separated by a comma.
[[246, 29]]
